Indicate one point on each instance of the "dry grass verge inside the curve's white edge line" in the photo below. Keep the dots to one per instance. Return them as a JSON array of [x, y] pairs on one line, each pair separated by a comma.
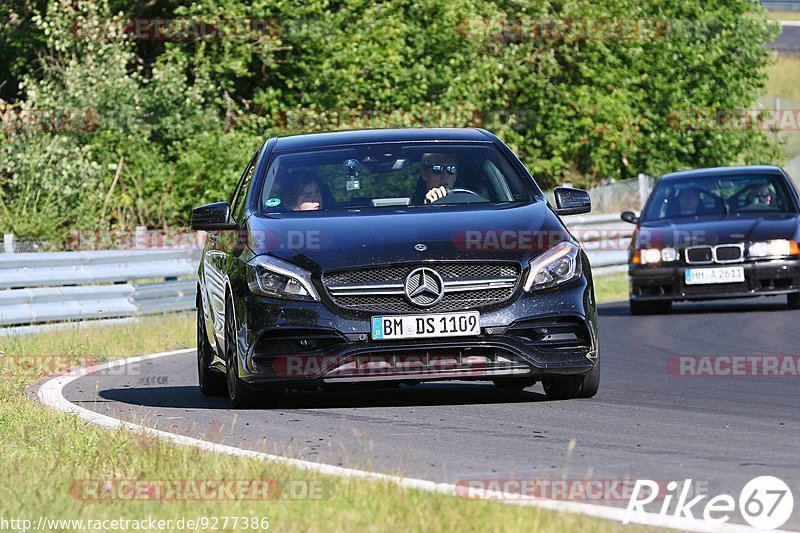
[[48, 459]]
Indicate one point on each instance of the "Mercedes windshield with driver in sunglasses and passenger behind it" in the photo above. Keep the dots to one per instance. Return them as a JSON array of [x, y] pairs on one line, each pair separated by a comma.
[[373, 176]]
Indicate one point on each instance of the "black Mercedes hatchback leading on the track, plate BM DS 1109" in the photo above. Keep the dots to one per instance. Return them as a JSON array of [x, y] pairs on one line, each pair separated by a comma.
[[388, 257]]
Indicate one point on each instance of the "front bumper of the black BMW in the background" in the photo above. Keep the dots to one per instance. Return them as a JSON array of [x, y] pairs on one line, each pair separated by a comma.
[[762, 278]]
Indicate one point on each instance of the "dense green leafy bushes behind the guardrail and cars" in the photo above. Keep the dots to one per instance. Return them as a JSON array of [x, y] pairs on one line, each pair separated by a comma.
[[177, 121]]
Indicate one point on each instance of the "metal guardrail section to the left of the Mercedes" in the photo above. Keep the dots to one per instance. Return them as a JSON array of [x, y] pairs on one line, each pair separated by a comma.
[[56, 287]]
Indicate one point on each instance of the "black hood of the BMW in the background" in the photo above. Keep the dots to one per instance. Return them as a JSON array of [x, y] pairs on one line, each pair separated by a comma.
[[718, 230]]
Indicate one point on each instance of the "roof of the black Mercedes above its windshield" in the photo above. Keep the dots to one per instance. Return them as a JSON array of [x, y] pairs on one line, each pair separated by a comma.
[[335, 138]]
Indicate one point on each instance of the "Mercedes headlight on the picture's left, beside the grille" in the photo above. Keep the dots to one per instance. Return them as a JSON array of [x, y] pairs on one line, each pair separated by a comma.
[[274, 277]]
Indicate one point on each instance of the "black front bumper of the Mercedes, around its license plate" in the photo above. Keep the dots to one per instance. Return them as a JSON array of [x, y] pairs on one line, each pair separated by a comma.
[[547, 333]]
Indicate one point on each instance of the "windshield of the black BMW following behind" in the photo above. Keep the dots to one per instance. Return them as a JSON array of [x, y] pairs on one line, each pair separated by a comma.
[[719, 195]]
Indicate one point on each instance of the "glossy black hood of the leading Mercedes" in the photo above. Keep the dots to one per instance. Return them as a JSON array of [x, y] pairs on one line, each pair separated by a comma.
[[331, 240]]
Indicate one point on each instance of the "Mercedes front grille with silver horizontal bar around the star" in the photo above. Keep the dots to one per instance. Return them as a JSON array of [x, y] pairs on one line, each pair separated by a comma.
[[489, 284]]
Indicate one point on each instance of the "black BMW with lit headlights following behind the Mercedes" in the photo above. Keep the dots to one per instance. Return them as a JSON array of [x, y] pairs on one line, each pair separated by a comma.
[[716, 233]]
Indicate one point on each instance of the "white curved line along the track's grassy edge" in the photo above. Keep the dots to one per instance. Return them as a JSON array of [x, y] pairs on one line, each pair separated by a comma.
[[51, 394]]
